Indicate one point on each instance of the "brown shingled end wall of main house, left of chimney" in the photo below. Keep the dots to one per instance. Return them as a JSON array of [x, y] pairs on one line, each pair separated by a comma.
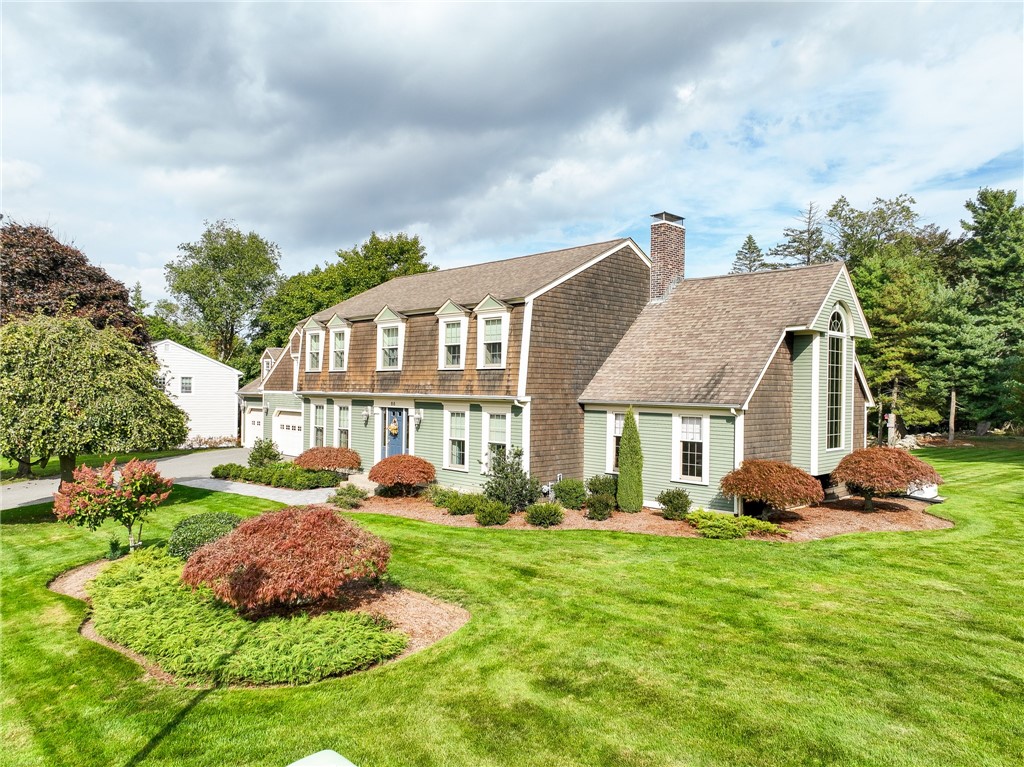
[[575, 328]]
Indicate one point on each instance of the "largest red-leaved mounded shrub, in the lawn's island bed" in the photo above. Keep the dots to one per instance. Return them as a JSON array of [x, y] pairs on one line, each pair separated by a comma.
[[295, 557]]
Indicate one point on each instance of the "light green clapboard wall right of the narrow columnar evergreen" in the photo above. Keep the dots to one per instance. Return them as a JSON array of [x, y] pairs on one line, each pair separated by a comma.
[[656, 439]]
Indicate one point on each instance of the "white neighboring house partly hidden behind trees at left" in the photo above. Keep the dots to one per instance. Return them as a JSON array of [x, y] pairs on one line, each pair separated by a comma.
[[202, 388]]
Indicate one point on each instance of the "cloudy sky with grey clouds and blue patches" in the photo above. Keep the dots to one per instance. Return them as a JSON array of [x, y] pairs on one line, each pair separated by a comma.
[[495, 131]]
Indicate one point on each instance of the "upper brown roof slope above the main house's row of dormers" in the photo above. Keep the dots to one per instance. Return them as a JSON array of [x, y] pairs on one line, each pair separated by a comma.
[[467, 286]]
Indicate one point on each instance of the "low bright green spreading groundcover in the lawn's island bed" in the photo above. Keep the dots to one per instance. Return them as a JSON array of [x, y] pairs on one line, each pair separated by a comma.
[[141, 603]]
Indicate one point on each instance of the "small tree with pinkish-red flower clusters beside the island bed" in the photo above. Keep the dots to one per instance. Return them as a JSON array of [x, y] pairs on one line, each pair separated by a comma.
[[97, 495]]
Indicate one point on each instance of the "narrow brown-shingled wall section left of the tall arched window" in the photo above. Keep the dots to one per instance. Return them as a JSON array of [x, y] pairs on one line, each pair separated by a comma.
[[769, 423]]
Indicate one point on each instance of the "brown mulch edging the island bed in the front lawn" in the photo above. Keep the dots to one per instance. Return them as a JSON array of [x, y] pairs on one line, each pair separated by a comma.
[[423, 619]]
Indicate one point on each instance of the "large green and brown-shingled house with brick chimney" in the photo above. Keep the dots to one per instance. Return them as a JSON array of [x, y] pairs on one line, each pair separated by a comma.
[[545, 353]]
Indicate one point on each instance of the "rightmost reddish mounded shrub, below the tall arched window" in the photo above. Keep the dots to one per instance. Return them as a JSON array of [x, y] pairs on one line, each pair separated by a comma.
[[883, 472]]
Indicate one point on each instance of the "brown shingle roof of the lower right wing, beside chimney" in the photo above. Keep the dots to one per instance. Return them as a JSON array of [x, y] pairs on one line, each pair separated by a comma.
[[710, 340]]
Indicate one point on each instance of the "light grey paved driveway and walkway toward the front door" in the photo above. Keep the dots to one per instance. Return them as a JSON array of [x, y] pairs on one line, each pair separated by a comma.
[[192, 471]]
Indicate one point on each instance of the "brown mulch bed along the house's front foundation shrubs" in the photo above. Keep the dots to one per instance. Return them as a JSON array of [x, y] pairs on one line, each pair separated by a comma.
[[808, 524]]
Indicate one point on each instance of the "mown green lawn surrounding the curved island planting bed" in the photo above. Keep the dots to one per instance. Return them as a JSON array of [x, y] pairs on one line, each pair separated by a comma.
[[586, 649]]
